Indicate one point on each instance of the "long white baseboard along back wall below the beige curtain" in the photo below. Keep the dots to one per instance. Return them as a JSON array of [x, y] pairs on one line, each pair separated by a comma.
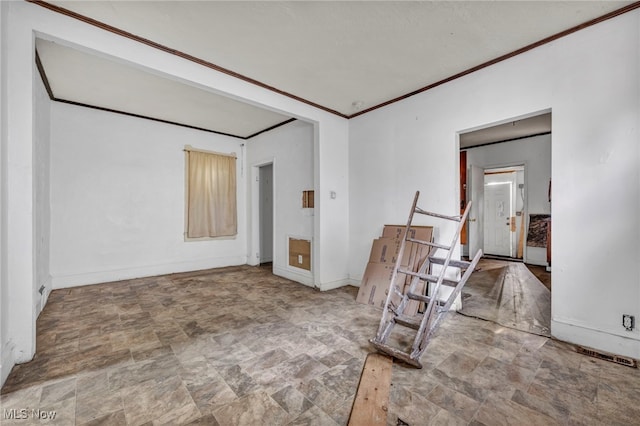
[[76, 280]]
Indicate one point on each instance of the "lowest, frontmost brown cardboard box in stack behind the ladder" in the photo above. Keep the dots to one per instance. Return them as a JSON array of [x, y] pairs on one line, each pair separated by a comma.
[[375, 284]]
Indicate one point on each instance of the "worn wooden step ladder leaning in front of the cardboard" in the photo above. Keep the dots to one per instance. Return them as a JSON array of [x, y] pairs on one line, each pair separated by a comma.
[[427, 322]]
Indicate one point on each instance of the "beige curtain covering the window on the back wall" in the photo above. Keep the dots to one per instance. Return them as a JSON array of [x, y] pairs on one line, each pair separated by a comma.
[[212, 195]]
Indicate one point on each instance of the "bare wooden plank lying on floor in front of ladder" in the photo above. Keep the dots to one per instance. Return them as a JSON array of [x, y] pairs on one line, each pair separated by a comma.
[[372, 399]]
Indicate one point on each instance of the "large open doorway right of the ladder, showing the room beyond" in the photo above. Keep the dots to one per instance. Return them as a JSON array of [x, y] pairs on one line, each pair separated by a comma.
[[505, 172]]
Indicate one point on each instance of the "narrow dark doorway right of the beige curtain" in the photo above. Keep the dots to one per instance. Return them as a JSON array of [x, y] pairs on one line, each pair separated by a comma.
[[265, 208]]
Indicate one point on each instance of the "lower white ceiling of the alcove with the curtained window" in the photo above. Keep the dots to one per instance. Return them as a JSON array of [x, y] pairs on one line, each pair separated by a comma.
[[91, 80]]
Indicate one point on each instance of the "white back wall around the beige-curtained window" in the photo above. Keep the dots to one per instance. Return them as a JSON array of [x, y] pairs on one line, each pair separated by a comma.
[[118, 198]]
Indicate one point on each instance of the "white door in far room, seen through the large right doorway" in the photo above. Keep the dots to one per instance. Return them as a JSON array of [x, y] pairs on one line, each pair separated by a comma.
[[497, 218]]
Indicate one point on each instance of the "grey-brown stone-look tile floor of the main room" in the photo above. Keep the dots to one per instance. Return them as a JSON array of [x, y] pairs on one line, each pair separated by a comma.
[[239, 346]]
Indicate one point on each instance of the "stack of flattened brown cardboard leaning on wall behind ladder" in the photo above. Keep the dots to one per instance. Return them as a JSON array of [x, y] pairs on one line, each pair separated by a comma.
[[384, 252]]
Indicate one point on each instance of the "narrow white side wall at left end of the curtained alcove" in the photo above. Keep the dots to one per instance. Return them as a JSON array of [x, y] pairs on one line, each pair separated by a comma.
[[42, 161]]
